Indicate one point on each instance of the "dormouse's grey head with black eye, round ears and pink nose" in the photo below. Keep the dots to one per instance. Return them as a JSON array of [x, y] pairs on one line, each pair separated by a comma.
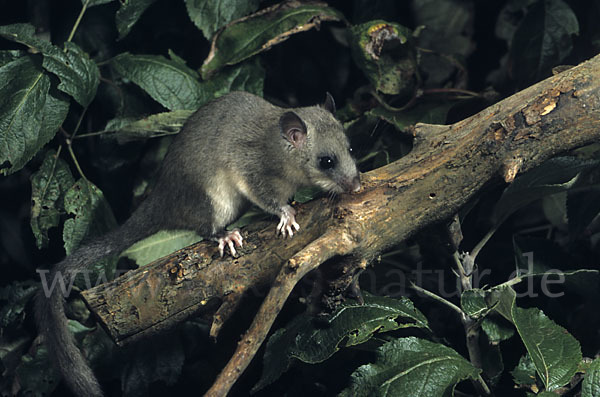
[[322, 147]]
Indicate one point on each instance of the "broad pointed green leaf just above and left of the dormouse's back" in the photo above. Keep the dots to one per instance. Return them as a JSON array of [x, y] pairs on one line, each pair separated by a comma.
[[173, 85]]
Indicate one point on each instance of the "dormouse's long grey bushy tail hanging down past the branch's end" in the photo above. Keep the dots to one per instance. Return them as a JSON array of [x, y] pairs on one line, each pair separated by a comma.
[[50, 311]]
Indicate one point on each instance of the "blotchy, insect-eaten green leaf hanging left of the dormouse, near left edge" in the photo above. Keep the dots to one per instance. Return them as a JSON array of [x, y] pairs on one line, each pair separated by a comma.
[[48, 187]]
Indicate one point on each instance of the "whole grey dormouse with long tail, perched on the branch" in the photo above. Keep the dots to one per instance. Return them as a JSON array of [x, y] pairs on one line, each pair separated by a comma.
[[236, 151]]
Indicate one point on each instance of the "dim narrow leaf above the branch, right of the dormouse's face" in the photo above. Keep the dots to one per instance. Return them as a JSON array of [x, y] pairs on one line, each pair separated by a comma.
[[430, 112]]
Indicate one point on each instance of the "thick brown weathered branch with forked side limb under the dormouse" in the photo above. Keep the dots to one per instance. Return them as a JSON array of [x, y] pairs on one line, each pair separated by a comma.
[[446, 168]]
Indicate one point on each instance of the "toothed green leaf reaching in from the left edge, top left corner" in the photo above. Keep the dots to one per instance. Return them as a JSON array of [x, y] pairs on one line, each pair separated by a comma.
[[79, 76]]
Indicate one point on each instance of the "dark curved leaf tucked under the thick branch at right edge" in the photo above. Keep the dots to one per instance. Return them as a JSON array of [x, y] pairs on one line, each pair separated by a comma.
[[553, 176]]
